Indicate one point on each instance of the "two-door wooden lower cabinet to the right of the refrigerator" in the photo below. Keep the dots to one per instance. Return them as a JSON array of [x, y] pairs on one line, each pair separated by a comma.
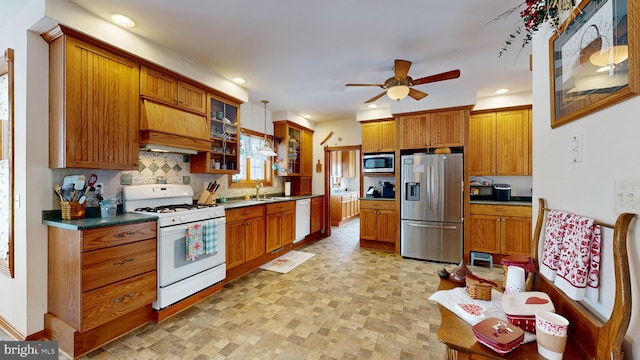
[[500, 229]]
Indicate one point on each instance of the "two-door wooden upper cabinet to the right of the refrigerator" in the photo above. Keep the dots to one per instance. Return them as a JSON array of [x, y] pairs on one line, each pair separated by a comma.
[[500, 143]]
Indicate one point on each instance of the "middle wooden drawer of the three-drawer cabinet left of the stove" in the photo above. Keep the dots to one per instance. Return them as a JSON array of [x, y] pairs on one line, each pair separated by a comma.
[[106, 266]]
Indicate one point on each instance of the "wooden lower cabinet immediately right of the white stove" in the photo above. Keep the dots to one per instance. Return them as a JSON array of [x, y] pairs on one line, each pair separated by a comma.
[[245, 235]]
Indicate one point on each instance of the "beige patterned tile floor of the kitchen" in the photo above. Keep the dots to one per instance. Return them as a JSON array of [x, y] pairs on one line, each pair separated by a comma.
[[343, 303]]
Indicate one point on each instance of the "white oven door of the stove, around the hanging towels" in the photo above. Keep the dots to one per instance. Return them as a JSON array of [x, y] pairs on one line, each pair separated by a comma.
[[172, 263]]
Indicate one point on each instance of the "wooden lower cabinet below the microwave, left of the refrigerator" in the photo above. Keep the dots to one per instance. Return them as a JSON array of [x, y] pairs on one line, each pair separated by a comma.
[[379, 225]]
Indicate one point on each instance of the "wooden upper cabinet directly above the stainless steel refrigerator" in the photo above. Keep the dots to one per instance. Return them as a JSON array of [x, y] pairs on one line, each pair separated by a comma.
[[434, 129]]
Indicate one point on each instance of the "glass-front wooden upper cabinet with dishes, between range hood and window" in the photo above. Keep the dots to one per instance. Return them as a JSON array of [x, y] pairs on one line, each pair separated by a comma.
[[224, 132]]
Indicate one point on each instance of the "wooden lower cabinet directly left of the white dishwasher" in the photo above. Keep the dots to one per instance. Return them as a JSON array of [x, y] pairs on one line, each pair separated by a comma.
[[280, 224]]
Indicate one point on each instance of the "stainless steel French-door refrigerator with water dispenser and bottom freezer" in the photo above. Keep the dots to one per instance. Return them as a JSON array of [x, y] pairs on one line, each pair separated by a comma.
[[431, 207]]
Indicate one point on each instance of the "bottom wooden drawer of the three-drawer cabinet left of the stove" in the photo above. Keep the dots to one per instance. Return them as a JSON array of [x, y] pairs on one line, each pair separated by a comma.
[[110, 302]]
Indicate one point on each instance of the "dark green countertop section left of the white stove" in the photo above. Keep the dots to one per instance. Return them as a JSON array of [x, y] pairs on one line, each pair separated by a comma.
[[92, 219]]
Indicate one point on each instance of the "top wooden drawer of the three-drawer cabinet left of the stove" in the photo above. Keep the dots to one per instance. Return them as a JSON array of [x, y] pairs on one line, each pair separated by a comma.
[[102, 237]]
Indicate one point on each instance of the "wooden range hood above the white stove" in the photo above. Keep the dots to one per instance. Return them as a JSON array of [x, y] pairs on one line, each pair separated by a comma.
[[166, 128]]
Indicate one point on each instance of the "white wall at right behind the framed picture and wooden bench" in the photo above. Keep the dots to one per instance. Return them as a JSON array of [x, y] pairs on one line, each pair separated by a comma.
[[610, 151]]
